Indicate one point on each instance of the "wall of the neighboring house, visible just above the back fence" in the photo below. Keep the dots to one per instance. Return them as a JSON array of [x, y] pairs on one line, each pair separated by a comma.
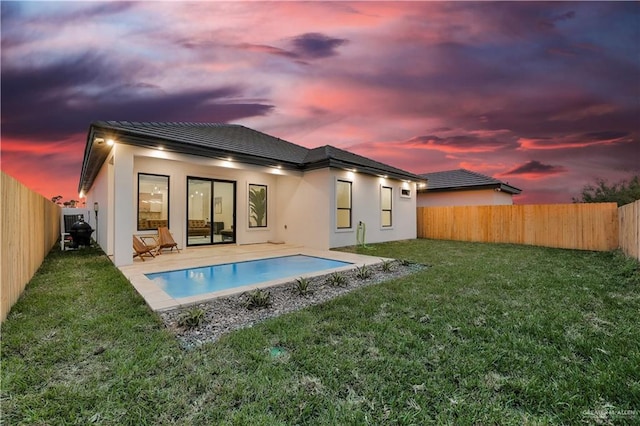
[[478, 197]]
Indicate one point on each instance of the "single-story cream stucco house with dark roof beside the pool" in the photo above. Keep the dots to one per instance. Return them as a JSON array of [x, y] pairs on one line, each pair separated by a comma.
[[228, 184]]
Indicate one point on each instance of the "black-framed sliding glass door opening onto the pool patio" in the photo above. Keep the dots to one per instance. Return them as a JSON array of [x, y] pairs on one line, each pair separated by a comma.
[[211, 211]]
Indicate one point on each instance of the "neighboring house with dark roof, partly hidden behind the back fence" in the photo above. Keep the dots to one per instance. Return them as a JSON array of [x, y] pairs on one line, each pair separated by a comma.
[[464, 188]]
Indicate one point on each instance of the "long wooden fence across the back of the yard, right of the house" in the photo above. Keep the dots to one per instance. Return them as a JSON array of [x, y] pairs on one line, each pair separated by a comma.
[[574, 226]]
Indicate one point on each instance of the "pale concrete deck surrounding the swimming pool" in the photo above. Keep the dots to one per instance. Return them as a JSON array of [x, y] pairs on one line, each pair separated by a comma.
[[193, 257]]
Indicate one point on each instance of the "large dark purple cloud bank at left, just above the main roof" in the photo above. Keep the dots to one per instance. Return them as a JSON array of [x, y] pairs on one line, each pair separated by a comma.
[[51, 103]]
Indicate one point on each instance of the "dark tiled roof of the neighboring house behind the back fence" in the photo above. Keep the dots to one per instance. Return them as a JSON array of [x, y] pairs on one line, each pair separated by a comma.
[[462, 179]]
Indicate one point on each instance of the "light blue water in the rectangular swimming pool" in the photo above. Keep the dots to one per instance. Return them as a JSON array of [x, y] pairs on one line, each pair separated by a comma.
[[209, 279]]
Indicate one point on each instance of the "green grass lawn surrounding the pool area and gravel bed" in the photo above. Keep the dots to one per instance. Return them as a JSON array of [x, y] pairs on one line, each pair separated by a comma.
[[489, 334]]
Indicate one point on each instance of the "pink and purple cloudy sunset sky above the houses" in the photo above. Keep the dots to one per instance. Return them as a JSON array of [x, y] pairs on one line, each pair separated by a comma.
[[544, 96]]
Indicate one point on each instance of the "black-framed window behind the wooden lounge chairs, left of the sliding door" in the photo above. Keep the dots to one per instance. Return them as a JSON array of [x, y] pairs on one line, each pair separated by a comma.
[[153, 201]]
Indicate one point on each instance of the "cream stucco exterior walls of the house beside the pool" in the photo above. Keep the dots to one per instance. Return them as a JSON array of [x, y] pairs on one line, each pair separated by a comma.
[[301, 207]]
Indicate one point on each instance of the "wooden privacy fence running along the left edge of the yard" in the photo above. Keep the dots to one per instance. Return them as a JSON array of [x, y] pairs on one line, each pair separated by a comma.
[[29, 228]]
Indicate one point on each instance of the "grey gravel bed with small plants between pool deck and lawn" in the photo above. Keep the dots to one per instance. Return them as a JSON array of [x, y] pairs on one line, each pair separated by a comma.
[[226, 314]]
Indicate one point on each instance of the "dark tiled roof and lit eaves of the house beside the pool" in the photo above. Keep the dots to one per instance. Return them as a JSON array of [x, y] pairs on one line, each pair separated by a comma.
[[222, 141]]
